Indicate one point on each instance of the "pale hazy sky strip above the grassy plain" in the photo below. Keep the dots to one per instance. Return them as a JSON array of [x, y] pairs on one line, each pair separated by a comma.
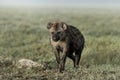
[[114, 3]]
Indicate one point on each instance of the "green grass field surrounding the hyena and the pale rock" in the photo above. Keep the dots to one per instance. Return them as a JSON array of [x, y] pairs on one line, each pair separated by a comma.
[[23, 34]]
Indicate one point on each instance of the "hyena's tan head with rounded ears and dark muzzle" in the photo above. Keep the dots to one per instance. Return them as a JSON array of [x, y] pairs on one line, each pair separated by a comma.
[[56, 30]]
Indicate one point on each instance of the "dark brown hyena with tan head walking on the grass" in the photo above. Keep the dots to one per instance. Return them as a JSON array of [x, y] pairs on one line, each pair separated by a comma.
[[67, 41]]
